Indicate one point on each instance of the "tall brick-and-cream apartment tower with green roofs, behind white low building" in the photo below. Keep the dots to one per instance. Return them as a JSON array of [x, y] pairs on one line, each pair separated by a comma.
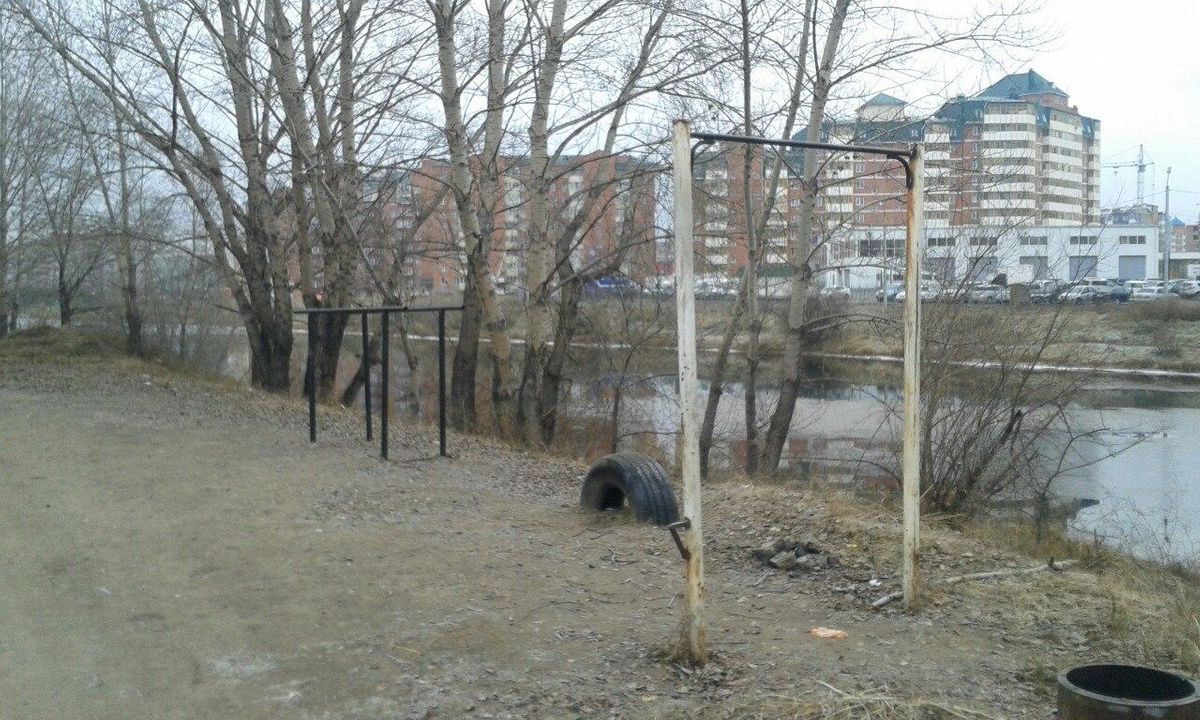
[[1015, 154]]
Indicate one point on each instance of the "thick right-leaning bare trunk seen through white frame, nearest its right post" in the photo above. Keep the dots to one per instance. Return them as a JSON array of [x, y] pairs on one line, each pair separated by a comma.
[[802, 250]]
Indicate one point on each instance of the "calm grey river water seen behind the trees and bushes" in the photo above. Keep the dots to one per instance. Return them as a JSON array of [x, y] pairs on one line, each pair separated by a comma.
[[1149, 495]]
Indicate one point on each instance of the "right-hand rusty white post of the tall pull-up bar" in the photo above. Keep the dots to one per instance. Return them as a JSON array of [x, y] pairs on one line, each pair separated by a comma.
[[914, 248]]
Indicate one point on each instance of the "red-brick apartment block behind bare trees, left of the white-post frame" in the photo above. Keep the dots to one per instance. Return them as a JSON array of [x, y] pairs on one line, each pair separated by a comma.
[[415, 220]]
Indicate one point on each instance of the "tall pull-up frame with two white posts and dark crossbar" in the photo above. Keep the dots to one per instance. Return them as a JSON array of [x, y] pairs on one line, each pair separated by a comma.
[[694, 640]]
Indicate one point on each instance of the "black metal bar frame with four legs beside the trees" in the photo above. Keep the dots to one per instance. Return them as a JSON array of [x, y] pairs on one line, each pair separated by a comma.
[[386, 314]]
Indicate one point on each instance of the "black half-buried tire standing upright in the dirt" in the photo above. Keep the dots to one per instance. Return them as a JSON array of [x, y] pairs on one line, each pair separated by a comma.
[[631, 478]]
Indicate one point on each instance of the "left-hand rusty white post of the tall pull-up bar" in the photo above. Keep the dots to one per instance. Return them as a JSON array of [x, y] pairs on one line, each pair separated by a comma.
[[694, 641]]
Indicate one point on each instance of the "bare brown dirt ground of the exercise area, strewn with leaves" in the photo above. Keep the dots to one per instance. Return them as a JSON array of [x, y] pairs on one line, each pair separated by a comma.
[[175, 548]]
